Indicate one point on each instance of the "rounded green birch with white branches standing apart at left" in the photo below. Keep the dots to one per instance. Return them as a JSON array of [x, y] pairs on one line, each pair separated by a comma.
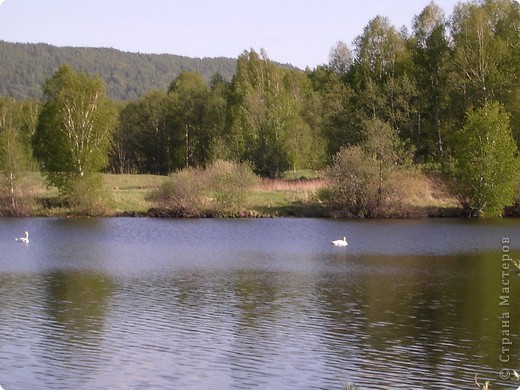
[[74, 129]]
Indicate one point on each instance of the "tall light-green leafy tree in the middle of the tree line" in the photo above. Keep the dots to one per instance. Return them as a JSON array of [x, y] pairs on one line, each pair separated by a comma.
[[270, 126]]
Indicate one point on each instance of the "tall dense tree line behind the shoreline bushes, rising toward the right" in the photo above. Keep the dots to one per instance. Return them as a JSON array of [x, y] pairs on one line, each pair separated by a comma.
[[421, 83]]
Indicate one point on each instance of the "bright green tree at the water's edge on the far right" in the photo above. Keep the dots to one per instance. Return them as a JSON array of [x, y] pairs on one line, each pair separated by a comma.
[[483, 167]]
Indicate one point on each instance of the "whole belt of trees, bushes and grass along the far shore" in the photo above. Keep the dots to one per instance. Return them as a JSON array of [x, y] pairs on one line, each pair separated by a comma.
[[391, 120]]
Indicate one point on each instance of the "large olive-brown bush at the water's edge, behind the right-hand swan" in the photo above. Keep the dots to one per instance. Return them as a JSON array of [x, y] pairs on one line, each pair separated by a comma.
[[366, 181]]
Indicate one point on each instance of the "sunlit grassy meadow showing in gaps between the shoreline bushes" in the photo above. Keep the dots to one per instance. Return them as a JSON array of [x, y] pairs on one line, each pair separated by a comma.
[[297, 195]]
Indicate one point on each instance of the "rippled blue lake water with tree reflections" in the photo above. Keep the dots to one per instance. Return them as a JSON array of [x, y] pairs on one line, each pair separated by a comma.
[[128, 303]]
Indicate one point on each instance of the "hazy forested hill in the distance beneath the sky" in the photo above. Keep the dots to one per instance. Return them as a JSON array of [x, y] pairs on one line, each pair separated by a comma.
[[25, 66]]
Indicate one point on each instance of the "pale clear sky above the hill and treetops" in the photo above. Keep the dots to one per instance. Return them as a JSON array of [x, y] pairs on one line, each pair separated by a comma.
[[300, 32]]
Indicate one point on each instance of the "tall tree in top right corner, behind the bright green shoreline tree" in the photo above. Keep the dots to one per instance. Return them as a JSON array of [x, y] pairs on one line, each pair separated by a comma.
[[485, 64]]
